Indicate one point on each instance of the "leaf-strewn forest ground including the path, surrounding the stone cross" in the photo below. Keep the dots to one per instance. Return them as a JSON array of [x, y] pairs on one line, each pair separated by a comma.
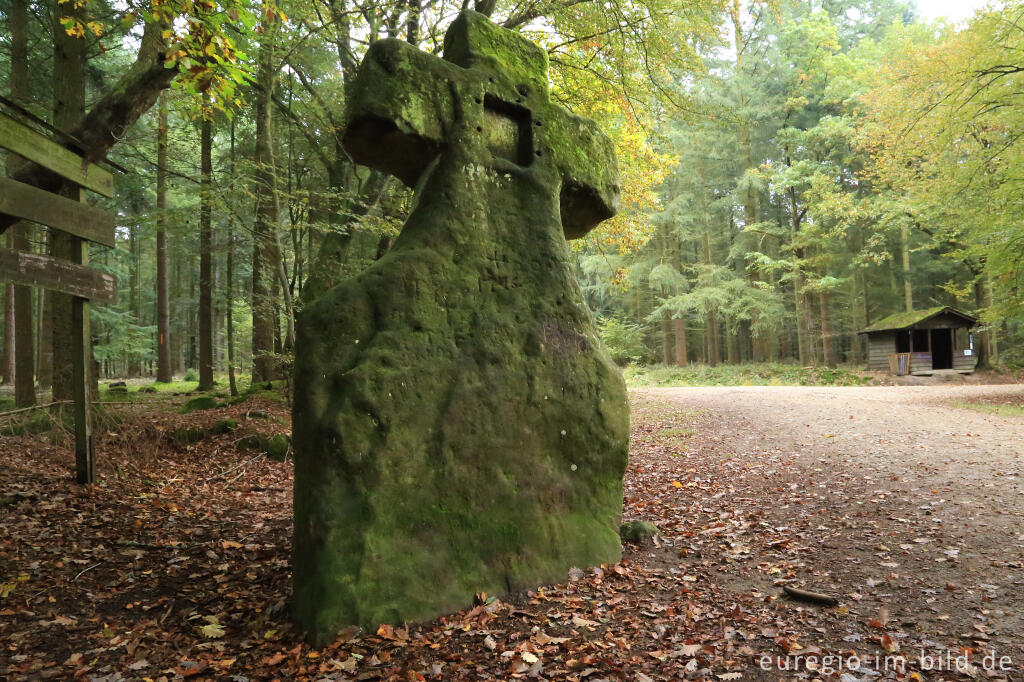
[[901, 502]]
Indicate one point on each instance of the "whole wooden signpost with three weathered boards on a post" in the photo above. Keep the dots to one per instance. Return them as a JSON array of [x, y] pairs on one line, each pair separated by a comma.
[[72, 277]]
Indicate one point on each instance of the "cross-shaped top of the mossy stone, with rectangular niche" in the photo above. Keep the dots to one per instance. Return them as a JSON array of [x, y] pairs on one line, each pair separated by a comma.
[[489, 95]]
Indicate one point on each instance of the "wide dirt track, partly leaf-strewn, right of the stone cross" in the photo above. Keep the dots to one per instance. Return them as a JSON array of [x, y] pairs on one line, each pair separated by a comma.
[[907, 508]]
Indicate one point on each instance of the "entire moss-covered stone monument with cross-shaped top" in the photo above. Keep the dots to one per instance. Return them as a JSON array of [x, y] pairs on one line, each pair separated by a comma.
[[458, 428]]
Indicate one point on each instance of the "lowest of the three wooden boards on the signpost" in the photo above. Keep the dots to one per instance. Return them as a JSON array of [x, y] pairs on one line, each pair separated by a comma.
[[34, 271]]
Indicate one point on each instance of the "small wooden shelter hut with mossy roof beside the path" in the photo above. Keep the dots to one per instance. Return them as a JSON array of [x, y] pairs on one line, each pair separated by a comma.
[[922, 343]]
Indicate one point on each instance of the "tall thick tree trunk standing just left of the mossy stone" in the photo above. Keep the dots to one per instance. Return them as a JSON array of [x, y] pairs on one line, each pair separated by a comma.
[[265, 259]]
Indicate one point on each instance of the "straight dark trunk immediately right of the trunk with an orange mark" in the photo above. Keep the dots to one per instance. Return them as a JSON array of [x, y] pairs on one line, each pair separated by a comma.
[[206, 257]]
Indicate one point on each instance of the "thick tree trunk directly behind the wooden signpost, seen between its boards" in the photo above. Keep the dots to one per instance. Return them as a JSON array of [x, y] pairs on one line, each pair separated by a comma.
[[69, 109]]
